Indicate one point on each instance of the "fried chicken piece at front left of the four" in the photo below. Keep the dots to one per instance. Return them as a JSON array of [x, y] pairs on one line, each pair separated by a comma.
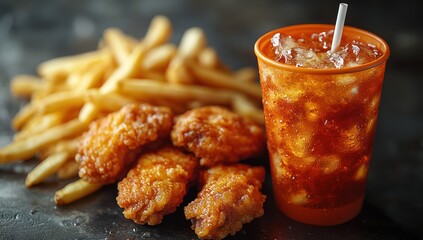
[[156, 185]]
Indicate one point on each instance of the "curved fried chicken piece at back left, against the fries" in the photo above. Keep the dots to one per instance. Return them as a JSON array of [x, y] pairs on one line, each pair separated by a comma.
[[110, 145]]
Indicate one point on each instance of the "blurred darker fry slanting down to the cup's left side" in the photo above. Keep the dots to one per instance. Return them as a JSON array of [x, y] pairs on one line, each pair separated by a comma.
[[214, 78]]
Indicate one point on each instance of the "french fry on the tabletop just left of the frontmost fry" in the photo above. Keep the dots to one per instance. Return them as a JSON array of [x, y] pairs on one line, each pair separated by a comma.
[[46, 168]]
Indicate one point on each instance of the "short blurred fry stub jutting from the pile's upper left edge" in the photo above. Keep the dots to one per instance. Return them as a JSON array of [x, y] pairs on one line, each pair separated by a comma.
[[25, 85]]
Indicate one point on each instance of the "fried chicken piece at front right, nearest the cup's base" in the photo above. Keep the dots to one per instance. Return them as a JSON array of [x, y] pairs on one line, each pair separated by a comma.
[[229, 198]]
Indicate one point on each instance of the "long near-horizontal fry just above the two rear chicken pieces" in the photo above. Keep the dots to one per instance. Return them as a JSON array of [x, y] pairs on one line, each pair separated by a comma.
[[182, 93]]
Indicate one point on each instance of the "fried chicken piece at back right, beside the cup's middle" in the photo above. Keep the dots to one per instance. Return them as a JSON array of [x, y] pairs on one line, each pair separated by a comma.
[[217, 135]]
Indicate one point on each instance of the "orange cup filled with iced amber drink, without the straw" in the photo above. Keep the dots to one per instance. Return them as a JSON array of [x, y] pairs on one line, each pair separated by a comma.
[[320, 111]]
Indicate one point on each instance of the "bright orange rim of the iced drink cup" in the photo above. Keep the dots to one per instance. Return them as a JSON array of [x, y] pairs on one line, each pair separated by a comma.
[[382, 45]]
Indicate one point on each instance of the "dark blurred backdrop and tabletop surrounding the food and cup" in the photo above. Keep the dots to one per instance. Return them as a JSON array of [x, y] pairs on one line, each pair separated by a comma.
[[34, 31]]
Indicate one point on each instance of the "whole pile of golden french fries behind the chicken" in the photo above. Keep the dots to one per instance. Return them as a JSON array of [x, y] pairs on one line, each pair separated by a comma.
[[70, 92]]
